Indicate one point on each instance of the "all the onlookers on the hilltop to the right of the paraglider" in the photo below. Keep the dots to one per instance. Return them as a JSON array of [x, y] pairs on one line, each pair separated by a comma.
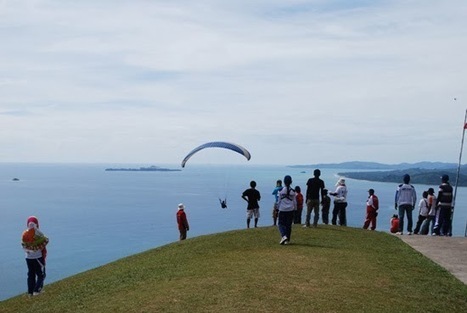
[[434, 211]]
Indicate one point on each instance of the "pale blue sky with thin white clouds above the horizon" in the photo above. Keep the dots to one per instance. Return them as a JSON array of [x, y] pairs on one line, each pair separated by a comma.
[[294, 82]]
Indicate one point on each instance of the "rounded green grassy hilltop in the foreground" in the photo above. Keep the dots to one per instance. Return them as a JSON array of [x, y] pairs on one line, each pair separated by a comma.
[[328, 269]]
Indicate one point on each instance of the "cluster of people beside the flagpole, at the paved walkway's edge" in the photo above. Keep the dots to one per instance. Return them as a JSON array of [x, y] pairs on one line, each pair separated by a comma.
[[434, 212]]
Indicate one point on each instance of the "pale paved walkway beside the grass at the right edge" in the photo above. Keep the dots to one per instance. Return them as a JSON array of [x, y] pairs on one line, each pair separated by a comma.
[[449, 252]]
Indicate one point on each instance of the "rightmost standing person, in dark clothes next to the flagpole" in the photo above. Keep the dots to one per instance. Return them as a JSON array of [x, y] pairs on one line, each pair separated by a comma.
[[444, 203]]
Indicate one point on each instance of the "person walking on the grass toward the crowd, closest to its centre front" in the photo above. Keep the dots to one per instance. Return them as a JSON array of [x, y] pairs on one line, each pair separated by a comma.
[[287, 206]]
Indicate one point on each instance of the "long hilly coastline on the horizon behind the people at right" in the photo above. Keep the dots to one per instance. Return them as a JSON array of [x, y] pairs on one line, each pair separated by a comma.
[[426, 173]]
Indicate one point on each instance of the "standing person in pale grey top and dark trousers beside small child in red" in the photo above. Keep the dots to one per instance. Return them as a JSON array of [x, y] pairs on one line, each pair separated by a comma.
[[405, 200]]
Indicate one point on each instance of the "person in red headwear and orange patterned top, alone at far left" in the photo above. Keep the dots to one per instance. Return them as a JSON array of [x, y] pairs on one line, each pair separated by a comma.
[[34, 244]]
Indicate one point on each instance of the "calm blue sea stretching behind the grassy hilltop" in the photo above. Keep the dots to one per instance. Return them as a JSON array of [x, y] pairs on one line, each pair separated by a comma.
[[94, 217]]
